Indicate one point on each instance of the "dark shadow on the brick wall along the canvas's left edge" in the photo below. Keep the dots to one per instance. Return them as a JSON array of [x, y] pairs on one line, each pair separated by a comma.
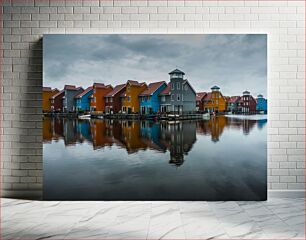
[[22, 164]]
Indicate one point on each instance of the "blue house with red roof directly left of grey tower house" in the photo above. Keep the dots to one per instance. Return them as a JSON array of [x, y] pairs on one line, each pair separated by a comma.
[[149, 98]]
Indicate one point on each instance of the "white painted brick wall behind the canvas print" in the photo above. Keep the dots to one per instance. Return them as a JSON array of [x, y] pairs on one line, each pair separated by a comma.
[[24, 22]]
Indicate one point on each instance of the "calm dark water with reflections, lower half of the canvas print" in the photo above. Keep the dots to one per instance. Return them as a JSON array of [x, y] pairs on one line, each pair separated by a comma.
[[217, 159]]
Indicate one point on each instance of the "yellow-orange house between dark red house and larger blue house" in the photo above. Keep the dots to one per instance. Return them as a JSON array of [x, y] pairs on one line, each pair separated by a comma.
[[130, 99]]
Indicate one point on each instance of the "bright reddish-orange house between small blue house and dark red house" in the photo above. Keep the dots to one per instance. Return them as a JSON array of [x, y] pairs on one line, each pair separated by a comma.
[[97, 103]]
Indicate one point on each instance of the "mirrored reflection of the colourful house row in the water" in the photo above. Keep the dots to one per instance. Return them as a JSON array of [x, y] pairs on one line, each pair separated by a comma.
[[176, 137]]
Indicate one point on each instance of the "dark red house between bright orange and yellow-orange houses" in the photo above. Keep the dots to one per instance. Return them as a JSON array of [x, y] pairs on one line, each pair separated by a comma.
[[113, 99]]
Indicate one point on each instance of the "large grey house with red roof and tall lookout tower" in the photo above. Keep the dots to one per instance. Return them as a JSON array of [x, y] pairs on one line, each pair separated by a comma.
[[179, 96]]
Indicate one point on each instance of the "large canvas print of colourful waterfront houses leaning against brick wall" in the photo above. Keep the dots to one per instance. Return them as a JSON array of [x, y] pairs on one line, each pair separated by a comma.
[[155, 117]]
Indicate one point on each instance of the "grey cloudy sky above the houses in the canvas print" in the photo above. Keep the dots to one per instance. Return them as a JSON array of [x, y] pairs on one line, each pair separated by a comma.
[[233, 62]]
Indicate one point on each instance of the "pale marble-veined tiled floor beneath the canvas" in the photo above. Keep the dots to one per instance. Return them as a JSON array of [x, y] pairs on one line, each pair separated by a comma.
[[274, 219]]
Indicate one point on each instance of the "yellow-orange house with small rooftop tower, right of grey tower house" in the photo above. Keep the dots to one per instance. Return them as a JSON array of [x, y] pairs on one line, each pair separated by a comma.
[[214, 101]]
